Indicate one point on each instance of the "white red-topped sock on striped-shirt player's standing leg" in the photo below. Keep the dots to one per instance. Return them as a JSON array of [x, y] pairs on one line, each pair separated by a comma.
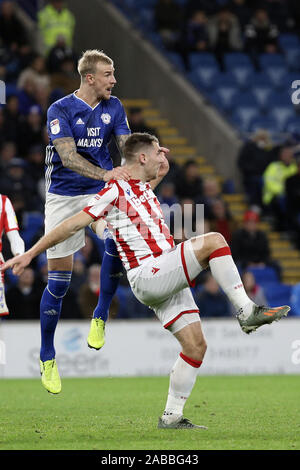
[[182, 380]]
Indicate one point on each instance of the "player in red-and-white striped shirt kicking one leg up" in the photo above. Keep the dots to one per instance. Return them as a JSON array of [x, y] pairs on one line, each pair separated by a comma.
[[161, 273]]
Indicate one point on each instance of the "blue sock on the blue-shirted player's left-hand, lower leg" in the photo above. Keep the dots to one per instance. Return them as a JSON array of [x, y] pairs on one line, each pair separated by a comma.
[[50, 308]]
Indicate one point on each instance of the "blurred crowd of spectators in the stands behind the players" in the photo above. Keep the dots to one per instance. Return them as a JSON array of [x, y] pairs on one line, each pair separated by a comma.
[[37, 73]]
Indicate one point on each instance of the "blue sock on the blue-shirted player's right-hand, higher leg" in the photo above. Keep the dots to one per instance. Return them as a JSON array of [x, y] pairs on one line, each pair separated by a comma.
[[111, 271]]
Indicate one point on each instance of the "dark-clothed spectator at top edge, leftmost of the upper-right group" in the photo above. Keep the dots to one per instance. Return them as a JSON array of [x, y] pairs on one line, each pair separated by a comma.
[[168, 17]]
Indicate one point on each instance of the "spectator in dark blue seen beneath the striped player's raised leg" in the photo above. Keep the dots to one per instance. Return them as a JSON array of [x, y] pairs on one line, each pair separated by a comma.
[[211, 301]]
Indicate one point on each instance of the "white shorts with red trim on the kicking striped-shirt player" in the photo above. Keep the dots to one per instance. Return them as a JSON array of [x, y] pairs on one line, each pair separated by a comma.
[[163, 283]]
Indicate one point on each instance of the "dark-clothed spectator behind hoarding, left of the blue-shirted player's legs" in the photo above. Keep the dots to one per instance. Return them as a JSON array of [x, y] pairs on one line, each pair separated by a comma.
[[23, 299]]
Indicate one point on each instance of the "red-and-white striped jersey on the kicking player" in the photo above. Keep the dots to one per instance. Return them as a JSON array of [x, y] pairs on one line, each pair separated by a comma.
[[134, 217]]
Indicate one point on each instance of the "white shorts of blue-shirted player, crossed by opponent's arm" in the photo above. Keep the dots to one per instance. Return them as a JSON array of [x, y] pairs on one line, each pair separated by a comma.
[[57, 209]]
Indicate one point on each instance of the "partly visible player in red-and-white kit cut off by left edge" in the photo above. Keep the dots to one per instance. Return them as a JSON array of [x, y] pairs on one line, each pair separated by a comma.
[[9, 226]]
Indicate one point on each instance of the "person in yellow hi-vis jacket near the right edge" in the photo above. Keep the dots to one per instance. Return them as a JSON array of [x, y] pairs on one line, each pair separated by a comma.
[[274, 178]]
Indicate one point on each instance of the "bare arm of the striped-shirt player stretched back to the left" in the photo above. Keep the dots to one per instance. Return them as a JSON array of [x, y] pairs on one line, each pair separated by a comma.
[[60, 233]]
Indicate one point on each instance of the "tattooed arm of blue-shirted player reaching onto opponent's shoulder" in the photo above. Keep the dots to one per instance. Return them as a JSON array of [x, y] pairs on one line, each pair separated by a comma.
[[66, 148]]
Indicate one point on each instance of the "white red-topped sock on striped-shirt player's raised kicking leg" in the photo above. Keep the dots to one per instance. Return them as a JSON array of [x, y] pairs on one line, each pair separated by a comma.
[[227, 276]]
